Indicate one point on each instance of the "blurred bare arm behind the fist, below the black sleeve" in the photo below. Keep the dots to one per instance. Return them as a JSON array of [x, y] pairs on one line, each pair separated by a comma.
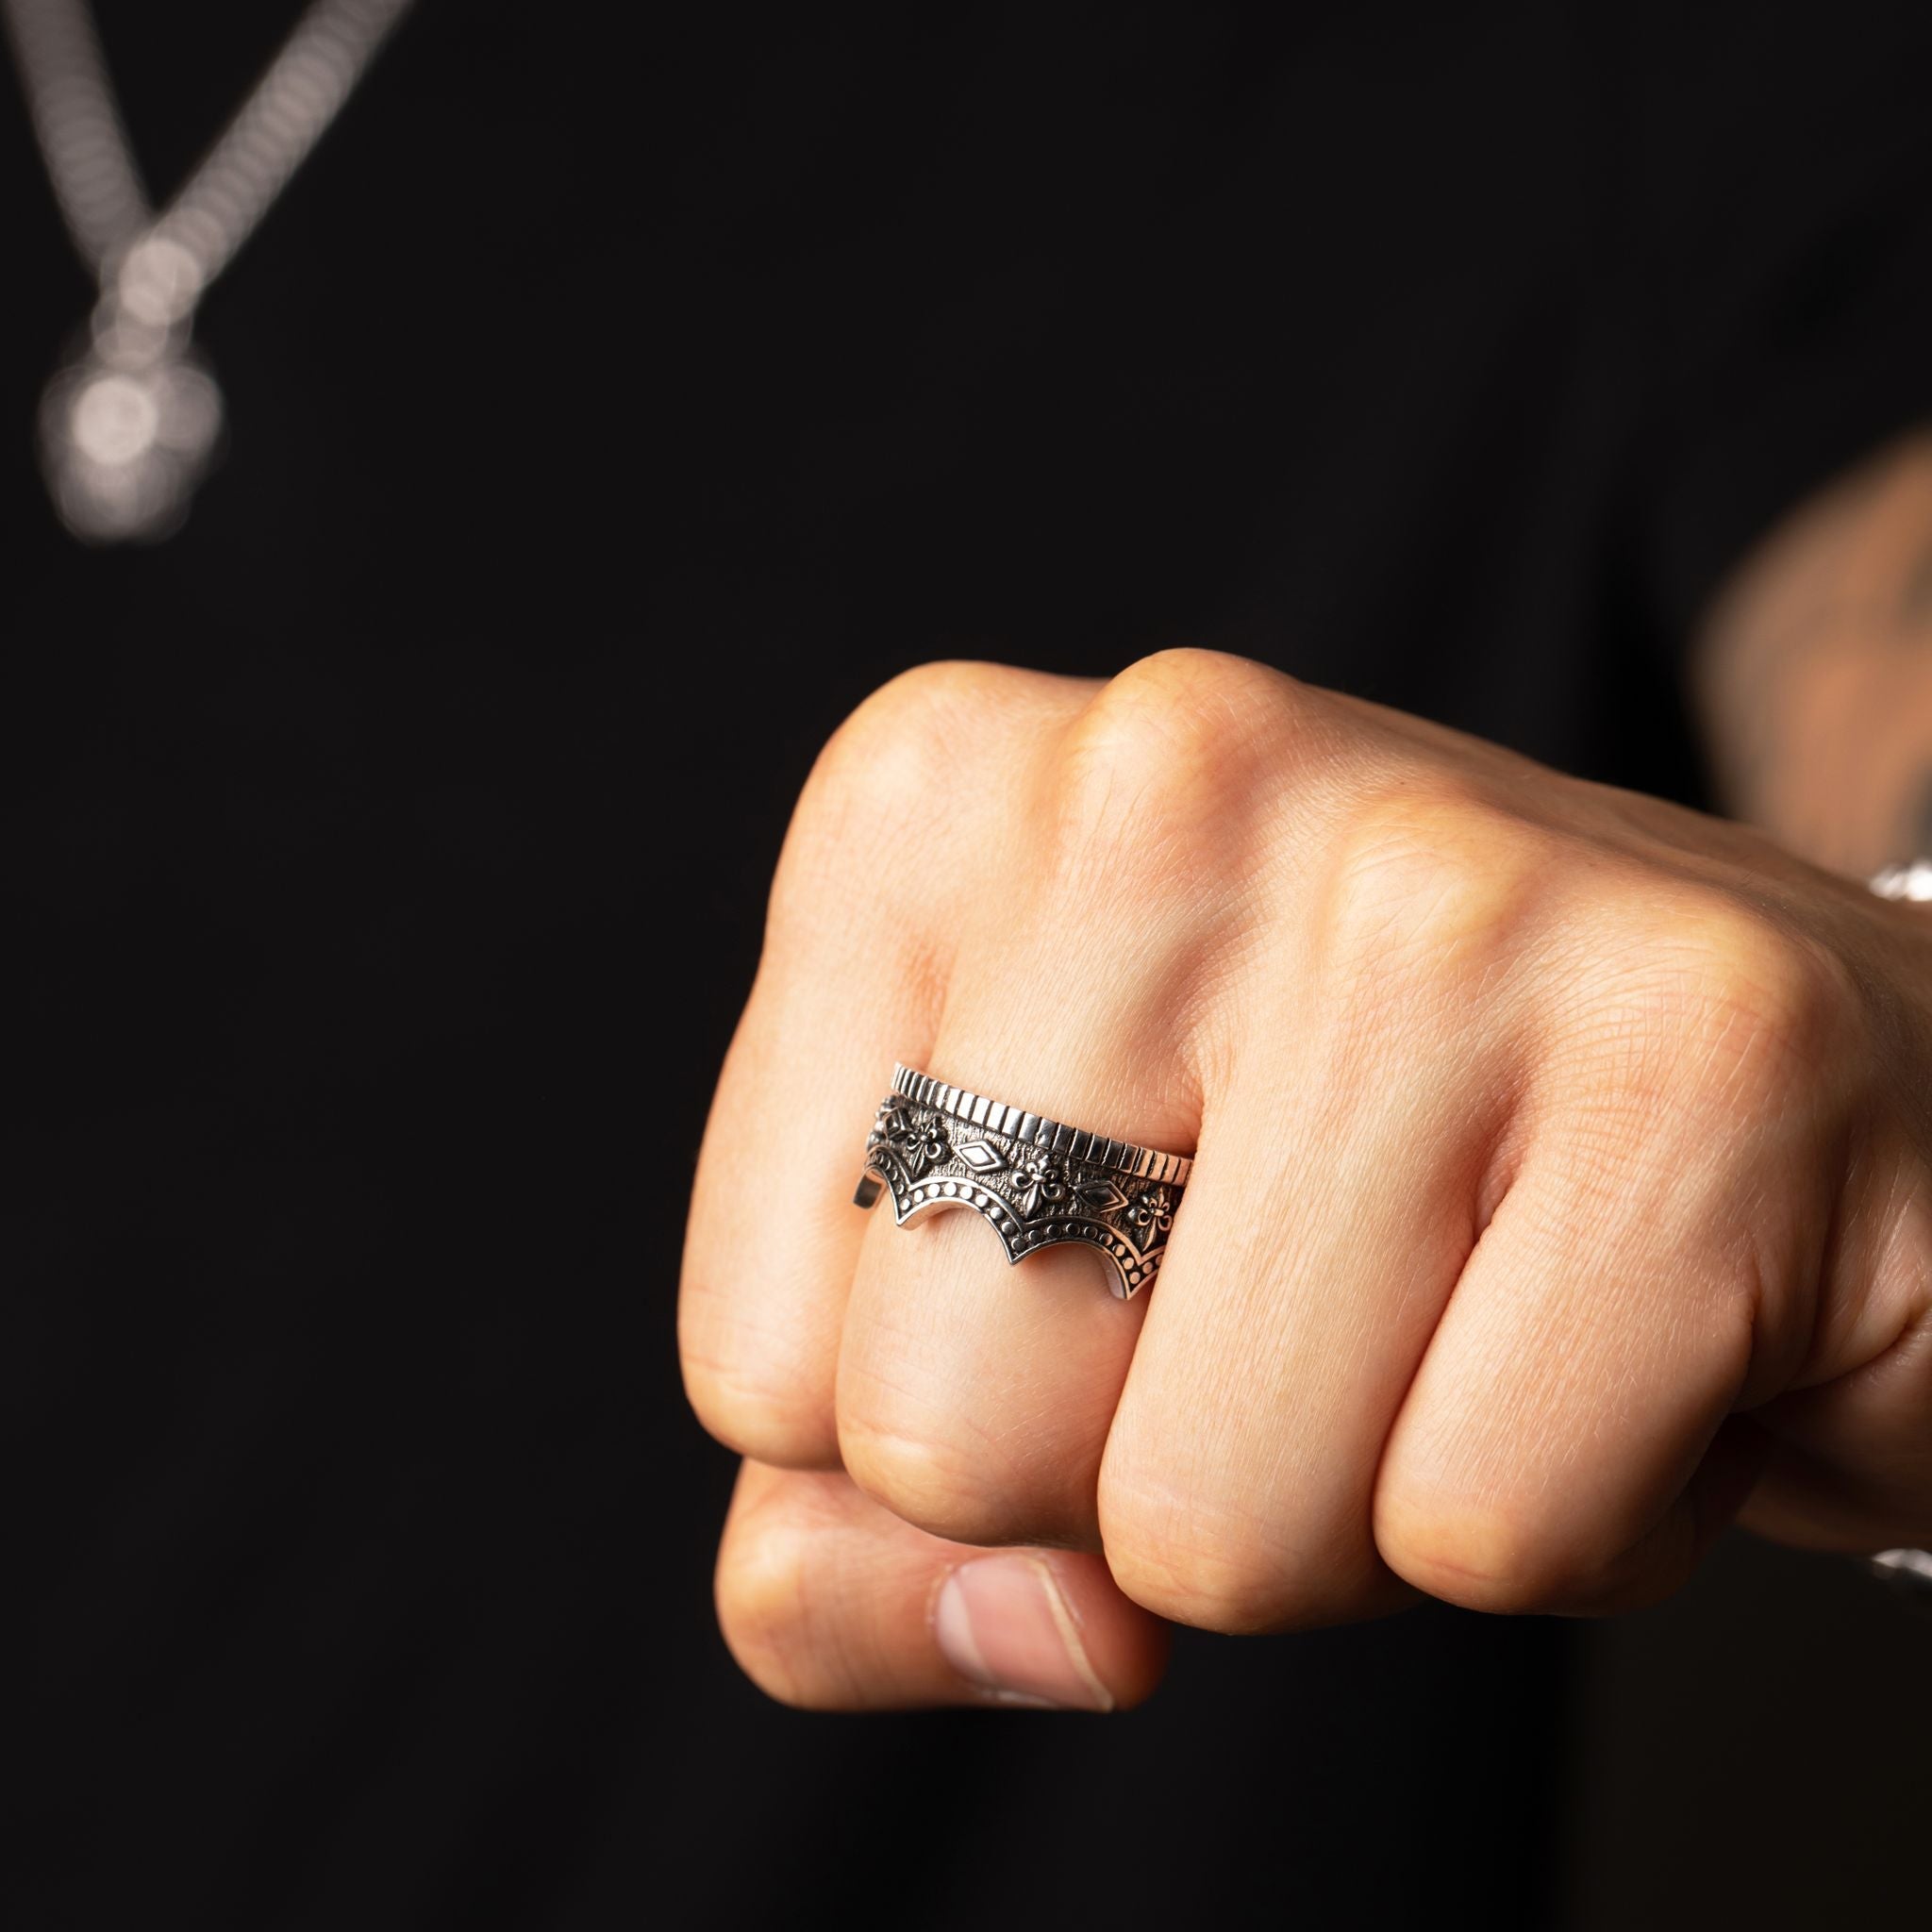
[[1815, 671]]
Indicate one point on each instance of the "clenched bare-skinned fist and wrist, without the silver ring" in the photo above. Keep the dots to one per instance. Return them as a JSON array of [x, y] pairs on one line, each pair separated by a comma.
[[1562, 1187]]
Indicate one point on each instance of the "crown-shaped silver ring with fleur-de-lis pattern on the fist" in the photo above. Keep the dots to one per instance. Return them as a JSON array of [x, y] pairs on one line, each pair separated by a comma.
[[1037, 1181]]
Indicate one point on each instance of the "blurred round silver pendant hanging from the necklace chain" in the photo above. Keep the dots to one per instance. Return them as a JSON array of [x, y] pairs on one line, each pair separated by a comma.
[[127, 436]]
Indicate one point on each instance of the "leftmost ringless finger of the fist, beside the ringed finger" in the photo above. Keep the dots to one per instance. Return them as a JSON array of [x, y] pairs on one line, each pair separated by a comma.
[[903, 810]]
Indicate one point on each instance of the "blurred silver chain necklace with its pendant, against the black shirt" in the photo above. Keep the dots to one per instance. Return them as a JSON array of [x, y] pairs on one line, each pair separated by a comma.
[[130, 426]]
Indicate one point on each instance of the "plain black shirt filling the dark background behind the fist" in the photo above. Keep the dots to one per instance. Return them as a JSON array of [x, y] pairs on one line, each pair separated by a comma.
[[611, 407]]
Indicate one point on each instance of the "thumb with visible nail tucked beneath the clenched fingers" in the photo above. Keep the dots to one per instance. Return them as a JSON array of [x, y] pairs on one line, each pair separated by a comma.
[[830, 1603]]
